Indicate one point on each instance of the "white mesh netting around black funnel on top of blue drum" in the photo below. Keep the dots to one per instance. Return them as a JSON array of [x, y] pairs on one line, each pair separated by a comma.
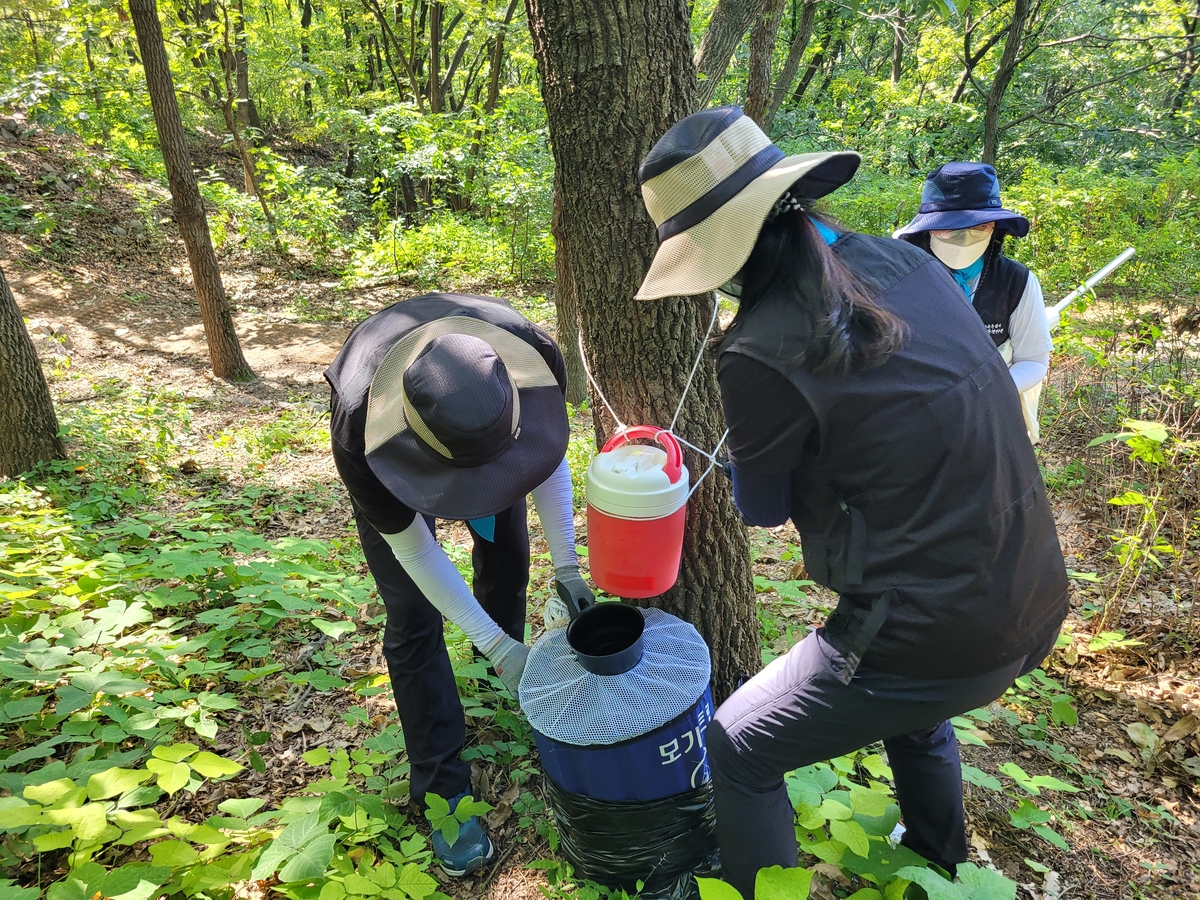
[[568, 704]]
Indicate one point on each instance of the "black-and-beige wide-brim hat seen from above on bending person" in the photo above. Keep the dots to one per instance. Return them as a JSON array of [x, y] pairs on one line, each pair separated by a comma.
[[464, 419]]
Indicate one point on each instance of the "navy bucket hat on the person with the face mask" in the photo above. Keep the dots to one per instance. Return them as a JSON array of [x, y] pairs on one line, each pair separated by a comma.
[[963, 195]]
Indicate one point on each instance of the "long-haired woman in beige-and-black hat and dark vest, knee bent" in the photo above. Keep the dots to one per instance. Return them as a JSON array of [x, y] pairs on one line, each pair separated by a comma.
[[867, 405]]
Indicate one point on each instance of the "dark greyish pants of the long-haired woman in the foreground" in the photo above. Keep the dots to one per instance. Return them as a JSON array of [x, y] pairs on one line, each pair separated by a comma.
[[796, 713]]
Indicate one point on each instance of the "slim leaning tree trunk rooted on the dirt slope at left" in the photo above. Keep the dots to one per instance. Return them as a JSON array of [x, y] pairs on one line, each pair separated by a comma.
[[225, 351]]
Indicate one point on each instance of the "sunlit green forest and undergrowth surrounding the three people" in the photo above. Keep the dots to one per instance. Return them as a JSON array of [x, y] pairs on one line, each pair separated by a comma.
[[188, 578]]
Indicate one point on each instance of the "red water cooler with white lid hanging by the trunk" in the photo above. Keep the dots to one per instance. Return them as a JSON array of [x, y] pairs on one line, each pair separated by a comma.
[[638, 497]]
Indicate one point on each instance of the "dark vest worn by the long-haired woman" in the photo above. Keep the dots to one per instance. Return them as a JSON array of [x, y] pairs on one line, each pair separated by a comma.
[[922, 505]]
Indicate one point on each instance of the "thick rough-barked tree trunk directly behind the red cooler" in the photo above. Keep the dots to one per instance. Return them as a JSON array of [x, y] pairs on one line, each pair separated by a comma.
[[635, 57]]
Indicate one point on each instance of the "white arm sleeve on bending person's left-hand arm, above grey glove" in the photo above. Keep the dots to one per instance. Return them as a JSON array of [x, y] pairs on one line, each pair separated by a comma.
[[433, 572]]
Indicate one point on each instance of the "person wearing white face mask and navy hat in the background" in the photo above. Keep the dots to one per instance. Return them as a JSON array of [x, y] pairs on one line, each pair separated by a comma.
[[963, 223]]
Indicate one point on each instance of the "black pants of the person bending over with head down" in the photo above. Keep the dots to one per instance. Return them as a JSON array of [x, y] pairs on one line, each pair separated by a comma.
[[415, 646]]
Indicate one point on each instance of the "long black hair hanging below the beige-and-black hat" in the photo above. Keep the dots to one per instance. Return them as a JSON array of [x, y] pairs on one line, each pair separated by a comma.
[[848, 331]]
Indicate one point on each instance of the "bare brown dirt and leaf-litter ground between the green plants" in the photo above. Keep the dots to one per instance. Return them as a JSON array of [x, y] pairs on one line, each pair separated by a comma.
[[115, 301]]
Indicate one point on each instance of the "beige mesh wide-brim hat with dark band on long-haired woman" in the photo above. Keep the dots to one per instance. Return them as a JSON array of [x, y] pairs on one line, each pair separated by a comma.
[[709, 184]]
